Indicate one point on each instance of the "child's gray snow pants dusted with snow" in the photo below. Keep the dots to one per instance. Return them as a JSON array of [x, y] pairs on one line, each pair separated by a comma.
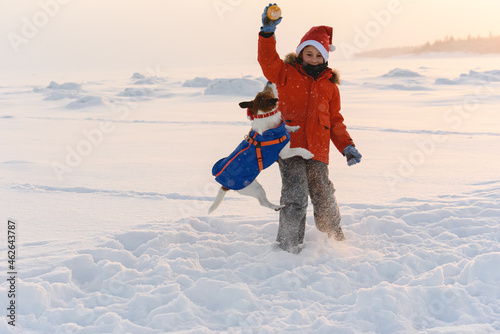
[[302, 178]]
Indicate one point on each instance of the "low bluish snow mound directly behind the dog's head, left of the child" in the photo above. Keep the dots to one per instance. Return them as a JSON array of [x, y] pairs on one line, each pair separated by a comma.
[[242, 86]]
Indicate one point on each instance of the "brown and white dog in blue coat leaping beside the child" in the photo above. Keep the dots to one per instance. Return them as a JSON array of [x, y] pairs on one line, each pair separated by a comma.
[[268, 140]]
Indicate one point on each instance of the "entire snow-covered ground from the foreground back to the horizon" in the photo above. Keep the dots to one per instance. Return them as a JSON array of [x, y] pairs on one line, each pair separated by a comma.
[[107, 176]]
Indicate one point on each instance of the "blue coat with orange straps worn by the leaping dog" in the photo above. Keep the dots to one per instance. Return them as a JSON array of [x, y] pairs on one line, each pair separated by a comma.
[[244, 168]]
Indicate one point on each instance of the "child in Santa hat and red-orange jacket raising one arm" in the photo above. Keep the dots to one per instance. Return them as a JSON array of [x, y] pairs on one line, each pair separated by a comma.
[[308, 96]]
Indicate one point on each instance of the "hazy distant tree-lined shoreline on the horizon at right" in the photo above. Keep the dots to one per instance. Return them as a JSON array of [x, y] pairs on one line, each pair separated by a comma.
[[474, 45]]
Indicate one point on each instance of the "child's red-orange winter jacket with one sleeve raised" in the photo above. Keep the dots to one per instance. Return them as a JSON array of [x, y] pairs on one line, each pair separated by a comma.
[[312, 104]]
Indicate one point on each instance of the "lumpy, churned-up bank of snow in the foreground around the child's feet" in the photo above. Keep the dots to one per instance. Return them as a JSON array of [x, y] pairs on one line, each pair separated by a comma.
[[438, 269]]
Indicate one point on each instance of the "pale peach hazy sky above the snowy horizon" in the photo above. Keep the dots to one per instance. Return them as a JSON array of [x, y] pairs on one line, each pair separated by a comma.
[[94, 34]]
